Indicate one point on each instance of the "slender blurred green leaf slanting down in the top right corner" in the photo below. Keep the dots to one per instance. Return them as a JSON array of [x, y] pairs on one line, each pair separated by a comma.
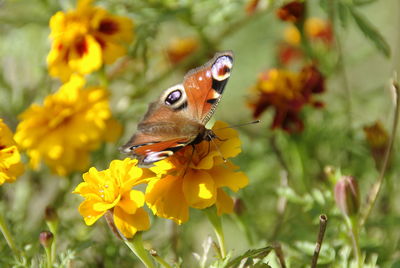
[[370, 31]]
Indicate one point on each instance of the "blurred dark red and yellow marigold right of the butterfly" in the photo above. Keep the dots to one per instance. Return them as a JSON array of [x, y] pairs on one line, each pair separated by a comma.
[[287, 92]]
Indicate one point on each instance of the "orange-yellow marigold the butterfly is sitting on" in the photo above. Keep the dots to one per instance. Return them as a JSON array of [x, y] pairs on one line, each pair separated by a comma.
[[196, 178]]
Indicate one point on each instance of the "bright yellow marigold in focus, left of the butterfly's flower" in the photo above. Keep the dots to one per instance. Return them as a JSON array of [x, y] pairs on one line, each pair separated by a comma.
[[111, 190]]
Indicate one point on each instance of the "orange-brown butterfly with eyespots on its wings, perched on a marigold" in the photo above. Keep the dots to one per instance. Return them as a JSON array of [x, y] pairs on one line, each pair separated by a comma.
[[178, 117]]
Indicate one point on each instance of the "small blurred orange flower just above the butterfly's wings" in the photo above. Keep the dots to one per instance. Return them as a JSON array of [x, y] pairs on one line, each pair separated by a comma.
[[179, 49]]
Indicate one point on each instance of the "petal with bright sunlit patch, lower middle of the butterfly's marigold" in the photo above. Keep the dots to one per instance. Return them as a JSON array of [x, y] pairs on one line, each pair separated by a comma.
[[199, 189]]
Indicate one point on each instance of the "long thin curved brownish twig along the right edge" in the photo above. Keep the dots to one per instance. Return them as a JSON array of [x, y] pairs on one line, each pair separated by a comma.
[[374, 192]]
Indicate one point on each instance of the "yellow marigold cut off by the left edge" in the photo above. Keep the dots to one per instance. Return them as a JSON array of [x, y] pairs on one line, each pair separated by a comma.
[[10, 160]]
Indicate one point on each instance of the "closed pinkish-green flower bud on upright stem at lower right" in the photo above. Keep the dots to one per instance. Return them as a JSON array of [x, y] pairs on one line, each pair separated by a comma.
[[347, 195]]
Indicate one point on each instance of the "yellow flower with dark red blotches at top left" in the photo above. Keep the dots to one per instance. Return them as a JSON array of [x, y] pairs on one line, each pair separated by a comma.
[[85, 38]]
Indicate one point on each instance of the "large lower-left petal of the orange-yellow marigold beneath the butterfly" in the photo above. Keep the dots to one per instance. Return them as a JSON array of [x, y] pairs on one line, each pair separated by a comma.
[[166, 199]]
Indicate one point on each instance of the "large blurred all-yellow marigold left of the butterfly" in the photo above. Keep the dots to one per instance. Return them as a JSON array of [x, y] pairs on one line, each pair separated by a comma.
[[67, 127]]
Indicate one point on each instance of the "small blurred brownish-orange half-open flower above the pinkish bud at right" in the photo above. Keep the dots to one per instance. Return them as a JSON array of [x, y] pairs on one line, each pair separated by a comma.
[[378, 141]]
